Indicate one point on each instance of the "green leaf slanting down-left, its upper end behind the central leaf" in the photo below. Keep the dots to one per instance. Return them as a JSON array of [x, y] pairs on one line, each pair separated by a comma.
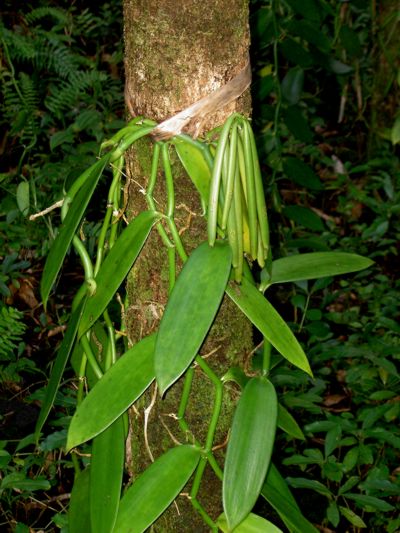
[[120, 386]]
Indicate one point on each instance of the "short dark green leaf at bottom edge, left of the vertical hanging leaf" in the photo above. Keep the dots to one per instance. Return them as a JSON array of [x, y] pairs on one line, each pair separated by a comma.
[[79, 515]]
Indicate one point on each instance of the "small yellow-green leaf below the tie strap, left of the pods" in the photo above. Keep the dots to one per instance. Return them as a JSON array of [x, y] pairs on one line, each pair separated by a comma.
[[195, 164]]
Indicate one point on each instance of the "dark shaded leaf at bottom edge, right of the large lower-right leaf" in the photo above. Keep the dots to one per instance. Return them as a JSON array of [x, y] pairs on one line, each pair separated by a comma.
[[278, 495]]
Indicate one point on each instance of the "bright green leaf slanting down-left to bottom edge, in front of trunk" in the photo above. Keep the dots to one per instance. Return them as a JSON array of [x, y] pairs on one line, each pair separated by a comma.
[[155, 489]]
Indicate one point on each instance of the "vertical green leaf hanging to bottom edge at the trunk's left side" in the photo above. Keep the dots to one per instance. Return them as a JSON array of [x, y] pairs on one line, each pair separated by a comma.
[[106, 470]]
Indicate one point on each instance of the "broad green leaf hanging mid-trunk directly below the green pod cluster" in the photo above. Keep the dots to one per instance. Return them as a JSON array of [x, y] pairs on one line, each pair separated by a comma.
[[190, 311]]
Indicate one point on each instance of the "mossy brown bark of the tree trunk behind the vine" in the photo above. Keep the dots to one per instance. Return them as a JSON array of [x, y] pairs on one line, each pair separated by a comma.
[[177, 51]]
